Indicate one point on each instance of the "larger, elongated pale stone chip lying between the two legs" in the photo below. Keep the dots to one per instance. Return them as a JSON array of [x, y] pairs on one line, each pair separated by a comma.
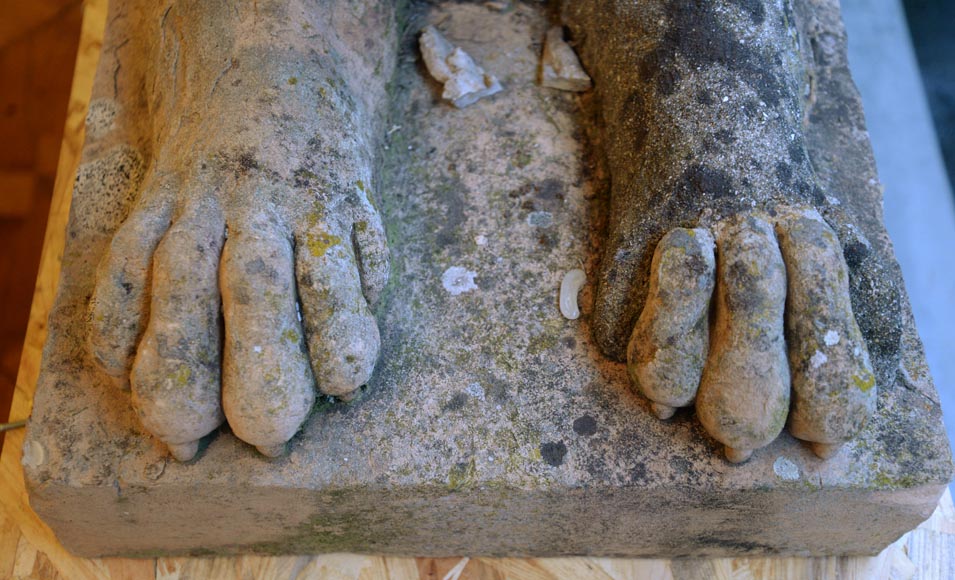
[[464, 81]]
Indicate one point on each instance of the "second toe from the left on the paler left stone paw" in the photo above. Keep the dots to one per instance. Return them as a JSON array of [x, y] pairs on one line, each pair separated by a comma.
[[175, 378]]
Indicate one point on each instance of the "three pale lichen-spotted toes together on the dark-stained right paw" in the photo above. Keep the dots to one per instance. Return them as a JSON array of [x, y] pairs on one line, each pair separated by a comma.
[[758, 334]]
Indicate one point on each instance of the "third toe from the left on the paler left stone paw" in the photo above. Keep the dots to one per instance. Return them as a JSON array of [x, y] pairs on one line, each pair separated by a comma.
[[268, 389]]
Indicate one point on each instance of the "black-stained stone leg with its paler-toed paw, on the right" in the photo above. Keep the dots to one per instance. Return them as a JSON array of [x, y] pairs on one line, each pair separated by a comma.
[[702, 108]]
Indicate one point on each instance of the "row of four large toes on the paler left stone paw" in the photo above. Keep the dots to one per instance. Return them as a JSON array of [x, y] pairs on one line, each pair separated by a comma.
[[155, 315]]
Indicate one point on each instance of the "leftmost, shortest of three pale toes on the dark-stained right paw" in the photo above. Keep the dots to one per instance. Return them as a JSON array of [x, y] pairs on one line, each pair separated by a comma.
[[668, 346]]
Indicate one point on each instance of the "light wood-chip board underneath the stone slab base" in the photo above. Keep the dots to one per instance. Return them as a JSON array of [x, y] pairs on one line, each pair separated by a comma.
[[28, 549]]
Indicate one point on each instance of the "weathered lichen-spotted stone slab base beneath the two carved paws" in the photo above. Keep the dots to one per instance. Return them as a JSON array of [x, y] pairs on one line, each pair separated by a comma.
[[492, 425]]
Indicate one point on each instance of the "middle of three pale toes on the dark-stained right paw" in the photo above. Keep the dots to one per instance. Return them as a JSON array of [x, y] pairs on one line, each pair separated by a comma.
[[744, 395]]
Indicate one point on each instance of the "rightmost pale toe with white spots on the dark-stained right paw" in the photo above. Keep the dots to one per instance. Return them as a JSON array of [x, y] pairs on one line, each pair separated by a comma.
[[834, 390]]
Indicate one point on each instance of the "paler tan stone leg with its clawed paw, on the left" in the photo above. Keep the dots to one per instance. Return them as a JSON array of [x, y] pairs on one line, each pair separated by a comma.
[[243, 275]]
